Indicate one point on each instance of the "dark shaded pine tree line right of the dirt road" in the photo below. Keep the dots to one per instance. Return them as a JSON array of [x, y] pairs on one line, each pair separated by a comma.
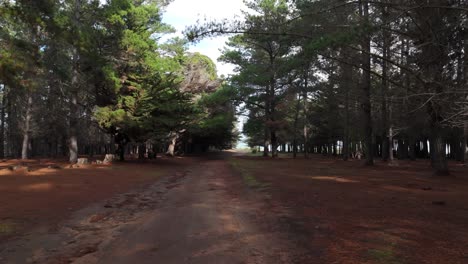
[[337, 77]]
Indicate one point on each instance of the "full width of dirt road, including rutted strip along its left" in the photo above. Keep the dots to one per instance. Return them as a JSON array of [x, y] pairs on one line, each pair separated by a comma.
[[201, 214]]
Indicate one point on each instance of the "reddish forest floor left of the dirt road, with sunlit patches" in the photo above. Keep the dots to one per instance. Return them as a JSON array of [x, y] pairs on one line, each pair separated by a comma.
[[41, 193]]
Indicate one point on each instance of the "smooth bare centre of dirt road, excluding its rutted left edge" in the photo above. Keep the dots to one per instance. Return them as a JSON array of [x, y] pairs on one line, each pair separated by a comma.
[[203, 220]]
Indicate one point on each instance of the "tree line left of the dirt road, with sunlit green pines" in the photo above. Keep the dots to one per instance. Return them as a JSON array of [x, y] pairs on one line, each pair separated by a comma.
[[86, 77]]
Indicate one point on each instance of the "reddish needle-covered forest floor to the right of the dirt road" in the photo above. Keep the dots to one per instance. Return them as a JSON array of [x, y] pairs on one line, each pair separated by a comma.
[[355, 214]]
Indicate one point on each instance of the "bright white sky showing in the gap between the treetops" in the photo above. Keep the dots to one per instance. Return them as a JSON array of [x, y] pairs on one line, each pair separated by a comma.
[[183, 13]]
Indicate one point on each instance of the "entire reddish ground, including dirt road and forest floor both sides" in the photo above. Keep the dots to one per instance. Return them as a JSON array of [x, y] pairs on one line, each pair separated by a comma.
[[232, 208]]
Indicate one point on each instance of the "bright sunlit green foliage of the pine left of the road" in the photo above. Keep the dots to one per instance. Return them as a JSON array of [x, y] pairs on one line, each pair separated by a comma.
[[144, 83]]
